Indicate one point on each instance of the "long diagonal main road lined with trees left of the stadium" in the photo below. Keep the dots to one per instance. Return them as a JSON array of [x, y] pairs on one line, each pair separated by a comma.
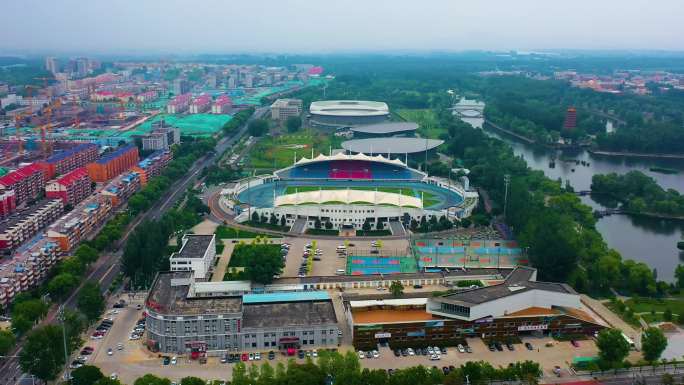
[[106, 268]]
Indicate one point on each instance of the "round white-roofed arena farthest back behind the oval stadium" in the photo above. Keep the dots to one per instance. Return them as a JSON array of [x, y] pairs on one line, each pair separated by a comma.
[[347, 113]]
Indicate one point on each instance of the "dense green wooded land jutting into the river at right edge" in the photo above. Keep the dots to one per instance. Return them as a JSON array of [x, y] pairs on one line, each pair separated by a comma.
[[639, 194]]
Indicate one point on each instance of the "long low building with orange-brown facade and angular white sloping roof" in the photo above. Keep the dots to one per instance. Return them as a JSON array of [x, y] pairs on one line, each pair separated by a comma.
[[515, 306]]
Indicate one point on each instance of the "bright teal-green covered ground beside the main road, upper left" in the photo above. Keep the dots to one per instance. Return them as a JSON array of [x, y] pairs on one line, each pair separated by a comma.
[[190, 125]]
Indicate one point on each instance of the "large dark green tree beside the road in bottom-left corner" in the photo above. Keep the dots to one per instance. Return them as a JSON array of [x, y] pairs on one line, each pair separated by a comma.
[[43, 354]]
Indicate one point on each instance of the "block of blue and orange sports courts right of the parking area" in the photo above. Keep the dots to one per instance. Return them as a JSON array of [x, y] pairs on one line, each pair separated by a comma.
[[433, 253]]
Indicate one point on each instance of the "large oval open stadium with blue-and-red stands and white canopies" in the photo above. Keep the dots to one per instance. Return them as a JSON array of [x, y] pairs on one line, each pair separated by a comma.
[[345, 191]]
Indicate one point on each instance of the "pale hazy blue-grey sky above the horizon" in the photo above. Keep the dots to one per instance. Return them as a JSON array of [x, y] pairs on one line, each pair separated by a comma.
[[168, 26]]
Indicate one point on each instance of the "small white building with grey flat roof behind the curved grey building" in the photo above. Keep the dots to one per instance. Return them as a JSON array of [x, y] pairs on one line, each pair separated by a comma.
[[197, 254]]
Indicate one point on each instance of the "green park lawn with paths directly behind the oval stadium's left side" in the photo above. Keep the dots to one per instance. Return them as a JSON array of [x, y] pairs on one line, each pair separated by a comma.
[[279, 151]]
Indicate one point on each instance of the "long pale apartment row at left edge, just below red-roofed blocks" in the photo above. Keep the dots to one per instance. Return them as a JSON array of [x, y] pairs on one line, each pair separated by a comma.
[[21, 226]]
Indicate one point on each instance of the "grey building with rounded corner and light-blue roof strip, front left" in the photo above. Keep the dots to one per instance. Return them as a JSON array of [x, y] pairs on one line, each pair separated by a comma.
[[197, 318]]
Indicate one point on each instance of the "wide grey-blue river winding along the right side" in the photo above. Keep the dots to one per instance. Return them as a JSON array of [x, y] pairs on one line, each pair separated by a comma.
[[649, 240]]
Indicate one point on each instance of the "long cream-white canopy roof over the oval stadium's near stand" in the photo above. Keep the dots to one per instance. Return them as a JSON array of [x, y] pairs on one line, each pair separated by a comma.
[[348, 196]]
